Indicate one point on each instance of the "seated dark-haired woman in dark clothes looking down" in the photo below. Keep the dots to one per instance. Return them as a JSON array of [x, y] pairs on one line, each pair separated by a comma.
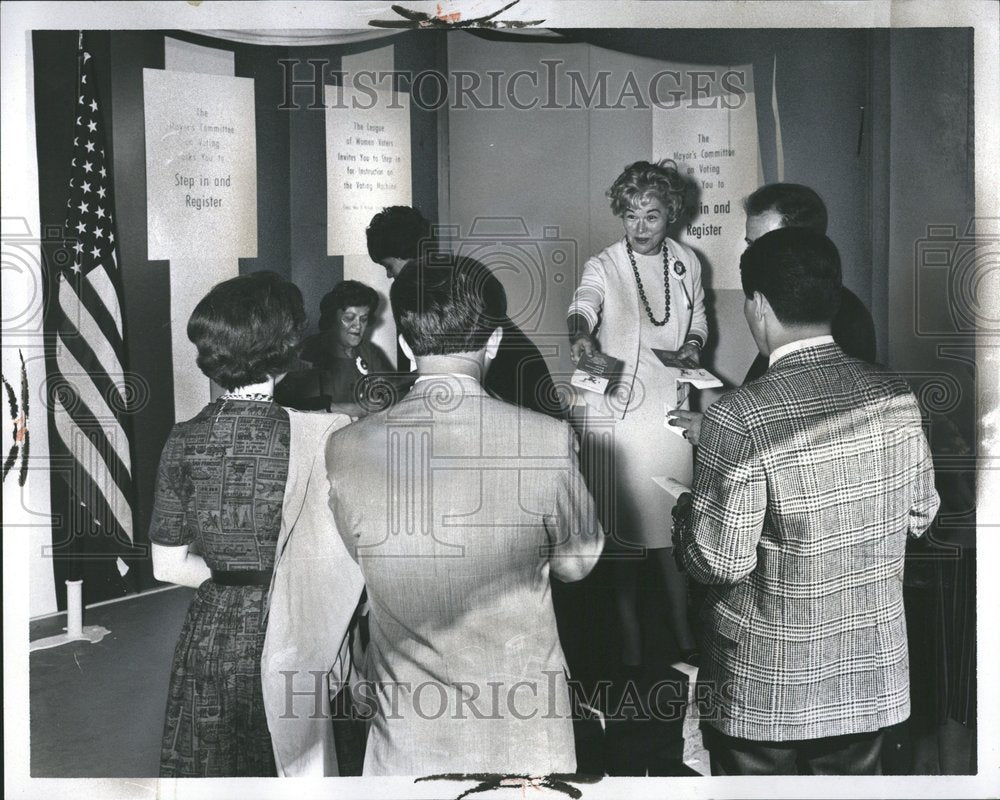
[[340, 355]]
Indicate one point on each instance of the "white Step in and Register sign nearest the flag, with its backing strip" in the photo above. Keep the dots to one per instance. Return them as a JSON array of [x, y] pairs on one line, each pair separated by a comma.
[[201, 190]]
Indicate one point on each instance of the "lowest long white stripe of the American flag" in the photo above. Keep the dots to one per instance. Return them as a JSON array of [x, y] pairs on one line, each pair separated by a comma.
[[92, 481]]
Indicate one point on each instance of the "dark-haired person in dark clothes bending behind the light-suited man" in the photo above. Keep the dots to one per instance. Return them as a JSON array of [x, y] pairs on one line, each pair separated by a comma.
[[398, 235]]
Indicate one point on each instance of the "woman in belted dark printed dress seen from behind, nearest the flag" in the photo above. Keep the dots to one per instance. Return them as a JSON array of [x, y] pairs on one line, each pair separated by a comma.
[[219, 489]]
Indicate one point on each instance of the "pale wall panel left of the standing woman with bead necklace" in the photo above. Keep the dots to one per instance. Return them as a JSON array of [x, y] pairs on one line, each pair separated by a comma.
[[521, 188]]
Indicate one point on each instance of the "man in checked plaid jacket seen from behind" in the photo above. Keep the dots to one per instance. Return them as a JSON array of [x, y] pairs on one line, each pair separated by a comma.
[[808, 481]]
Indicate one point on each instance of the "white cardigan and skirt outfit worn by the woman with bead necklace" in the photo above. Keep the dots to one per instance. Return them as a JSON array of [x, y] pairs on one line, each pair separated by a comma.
[[625, 441]]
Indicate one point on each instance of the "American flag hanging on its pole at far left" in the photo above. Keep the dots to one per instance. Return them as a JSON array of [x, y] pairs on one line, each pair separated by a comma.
[[90, 395]]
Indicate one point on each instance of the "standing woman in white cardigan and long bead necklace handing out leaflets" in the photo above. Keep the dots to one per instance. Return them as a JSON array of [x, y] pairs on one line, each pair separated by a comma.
[[642, 292]]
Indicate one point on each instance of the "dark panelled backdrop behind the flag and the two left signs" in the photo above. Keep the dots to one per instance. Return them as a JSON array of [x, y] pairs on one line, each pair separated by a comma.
[[291, 215]]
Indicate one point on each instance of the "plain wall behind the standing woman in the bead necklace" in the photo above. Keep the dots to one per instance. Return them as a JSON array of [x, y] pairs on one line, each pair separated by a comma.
[[550, 168]]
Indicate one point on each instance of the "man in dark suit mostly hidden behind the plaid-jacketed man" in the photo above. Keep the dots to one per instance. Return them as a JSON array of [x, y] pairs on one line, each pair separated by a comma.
[[792, 205]]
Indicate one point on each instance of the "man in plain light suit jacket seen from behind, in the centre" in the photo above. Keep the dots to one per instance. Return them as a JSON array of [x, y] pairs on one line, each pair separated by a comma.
[[459, 508]]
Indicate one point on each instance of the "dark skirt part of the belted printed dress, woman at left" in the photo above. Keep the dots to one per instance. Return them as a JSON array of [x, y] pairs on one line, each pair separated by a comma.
[[215, 724]]
